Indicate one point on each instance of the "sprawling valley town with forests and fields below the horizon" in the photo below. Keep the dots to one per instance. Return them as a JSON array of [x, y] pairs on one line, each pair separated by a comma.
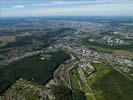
[[66, 57]]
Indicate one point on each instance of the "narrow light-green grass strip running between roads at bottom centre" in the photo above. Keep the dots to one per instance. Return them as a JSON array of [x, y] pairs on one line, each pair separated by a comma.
[[81, 90]]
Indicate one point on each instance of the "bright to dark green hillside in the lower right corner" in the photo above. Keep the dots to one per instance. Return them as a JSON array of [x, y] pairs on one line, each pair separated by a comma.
[[109, 84]]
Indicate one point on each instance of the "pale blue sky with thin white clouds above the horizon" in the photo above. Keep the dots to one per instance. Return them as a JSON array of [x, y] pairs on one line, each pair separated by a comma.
[[23, 8]]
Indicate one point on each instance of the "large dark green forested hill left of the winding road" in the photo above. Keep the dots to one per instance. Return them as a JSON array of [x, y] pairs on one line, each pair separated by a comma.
[[31, 68]]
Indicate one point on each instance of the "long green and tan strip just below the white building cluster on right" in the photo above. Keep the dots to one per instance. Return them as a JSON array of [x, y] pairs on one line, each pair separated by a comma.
[[127, 49]]
